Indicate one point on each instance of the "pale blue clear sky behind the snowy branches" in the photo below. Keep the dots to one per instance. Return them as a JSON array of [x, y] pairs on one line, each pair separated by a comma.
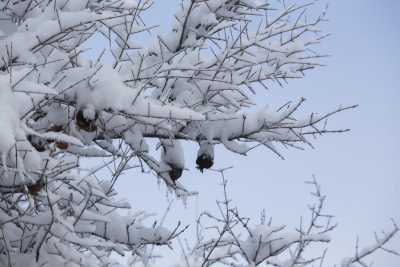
[[359, 170]]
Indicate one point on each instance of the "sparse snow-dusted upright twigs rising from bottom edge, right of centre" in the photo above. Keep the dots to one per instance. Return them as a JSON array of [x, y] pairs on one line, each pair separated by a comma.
[[231, 239]]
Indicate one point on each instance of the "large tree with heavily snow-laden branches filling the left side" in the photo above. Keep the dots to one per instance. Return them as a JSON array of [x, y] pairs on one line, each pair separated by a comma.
[[194, 83]]
